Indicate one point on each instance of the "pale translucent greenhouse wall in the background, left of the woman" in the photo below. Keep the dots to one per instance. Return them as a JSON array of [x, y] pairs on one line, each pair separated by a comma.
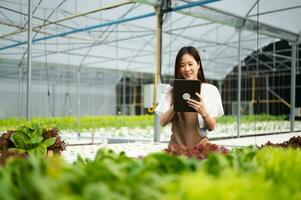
[[54, 90]]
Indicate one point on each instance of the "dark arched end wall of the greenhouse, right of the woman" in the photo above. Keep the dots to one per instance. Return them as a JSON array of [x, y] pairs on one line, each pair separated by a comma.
[[265, 85]]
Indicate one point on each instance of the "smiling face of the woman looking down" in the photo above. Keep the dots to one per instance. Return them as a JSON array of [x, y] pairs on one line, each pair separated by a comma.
[[189, 67]]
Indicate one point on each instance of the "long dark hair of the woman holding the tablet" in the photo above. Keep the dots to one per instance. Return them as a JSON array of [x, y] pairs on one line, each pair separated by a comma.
[[195, 54]]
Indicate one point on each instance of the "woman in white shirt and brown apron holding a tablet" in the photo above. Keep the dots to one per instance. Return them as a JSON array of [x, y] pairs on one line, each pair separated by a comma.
[[188, 128]]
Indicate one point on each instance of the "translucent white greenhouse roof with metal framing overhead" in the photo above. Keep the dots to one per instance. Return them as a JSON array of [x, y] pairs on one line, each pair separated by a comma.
[[122, 34]]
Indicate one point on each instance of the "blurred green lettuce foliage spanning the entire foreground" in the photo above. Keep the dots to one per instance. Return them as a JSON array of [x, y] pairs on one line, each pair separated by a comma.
[[245, 173]]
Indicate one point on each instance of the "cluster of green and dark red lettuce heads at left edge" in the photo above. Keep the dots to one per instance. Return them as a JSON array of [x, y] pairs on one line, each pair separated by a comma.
[[32, 139]]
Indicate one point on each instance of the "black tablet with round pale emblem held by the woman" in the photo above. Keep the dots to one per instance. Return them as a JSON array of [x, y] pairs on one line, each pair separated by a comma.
[[182, 91]]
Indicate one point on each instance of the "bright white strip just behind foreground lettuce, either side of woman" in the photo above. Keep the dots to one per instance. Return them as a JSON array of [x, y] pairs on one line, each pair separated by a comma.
[[136, 149]]
